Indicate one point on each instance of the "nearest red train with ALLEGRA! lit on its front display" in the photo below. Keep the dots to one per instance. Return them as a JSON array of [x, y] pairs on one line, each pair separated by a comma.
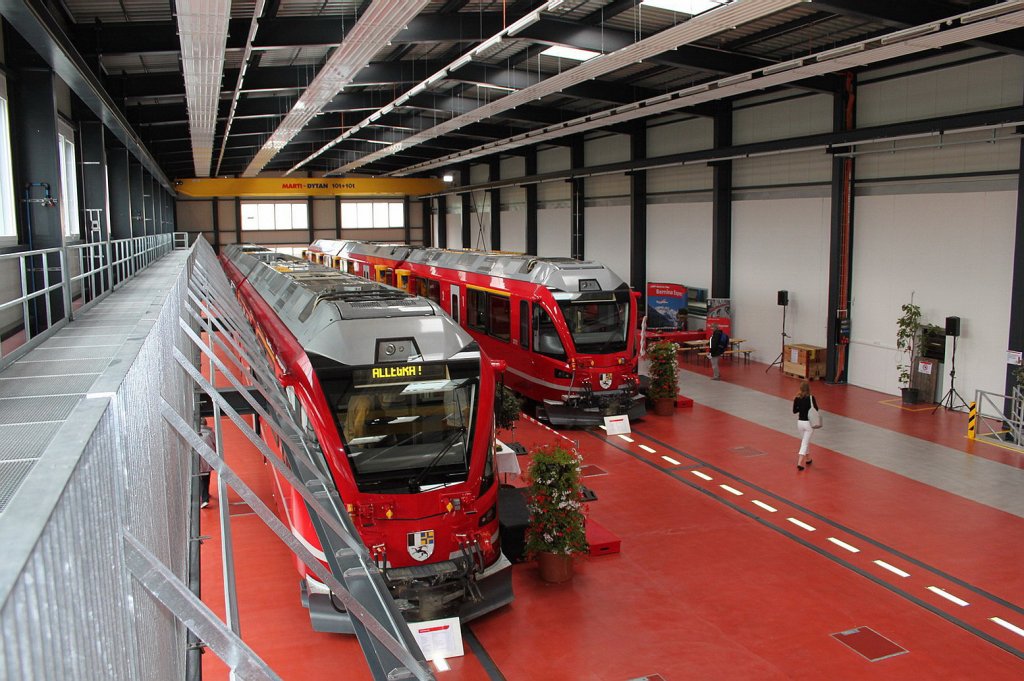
[[401, 401]]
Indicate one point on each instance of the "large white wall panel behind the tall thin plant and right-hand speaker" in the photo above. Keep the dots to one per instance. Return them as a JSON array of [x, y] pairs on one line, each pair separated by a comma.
[[954, 252]]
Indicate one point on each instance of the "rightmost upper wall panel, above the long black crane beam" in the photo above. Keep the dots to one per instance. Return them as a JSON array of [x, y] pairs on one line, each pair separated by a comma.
[[959, 90]]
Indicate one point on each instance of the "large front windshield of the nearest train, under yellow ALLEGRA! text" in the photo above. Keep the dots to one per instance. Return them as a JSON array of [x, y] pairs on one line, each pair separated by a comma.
[[406, 428]]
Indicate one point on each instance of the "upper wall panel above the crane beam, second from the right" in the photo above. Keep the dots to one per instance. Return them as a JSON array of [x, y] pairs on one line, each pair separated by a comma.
[[779, 120]]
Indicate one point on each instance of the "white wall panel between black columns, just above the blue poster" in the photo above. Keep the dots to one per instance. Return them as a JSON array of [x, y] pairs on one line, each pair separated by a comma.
[[679, 244]]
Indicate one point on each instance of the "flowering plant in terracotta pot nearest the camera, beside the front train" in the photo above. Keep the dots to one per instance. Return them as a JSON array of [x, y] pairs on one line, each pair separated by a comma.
[[554, 499]]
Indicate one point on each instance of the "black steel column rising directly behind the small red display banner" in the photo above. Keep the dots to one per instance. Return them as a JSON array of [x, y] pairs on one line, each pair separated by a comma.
[[721, 240]]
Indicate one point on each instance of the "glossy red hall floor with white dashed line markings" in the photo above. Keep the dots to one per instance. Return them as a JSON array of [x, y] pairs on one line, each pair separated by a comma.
[[710, 585]]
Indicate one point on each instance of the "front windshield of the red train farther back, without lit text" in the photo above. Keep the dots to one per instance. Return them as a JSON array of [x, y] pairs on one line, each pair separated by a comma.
[[599, 323]]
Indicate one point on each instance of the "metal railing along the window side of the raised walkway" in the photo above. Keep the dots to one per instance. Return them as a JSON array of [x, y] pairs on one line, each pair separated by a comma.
[[57, 283]]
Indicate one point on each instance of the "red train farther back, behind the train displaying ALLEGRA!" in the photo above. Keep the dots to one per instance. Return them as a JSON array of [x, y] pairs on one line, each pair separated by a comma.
[[566, 328]]
